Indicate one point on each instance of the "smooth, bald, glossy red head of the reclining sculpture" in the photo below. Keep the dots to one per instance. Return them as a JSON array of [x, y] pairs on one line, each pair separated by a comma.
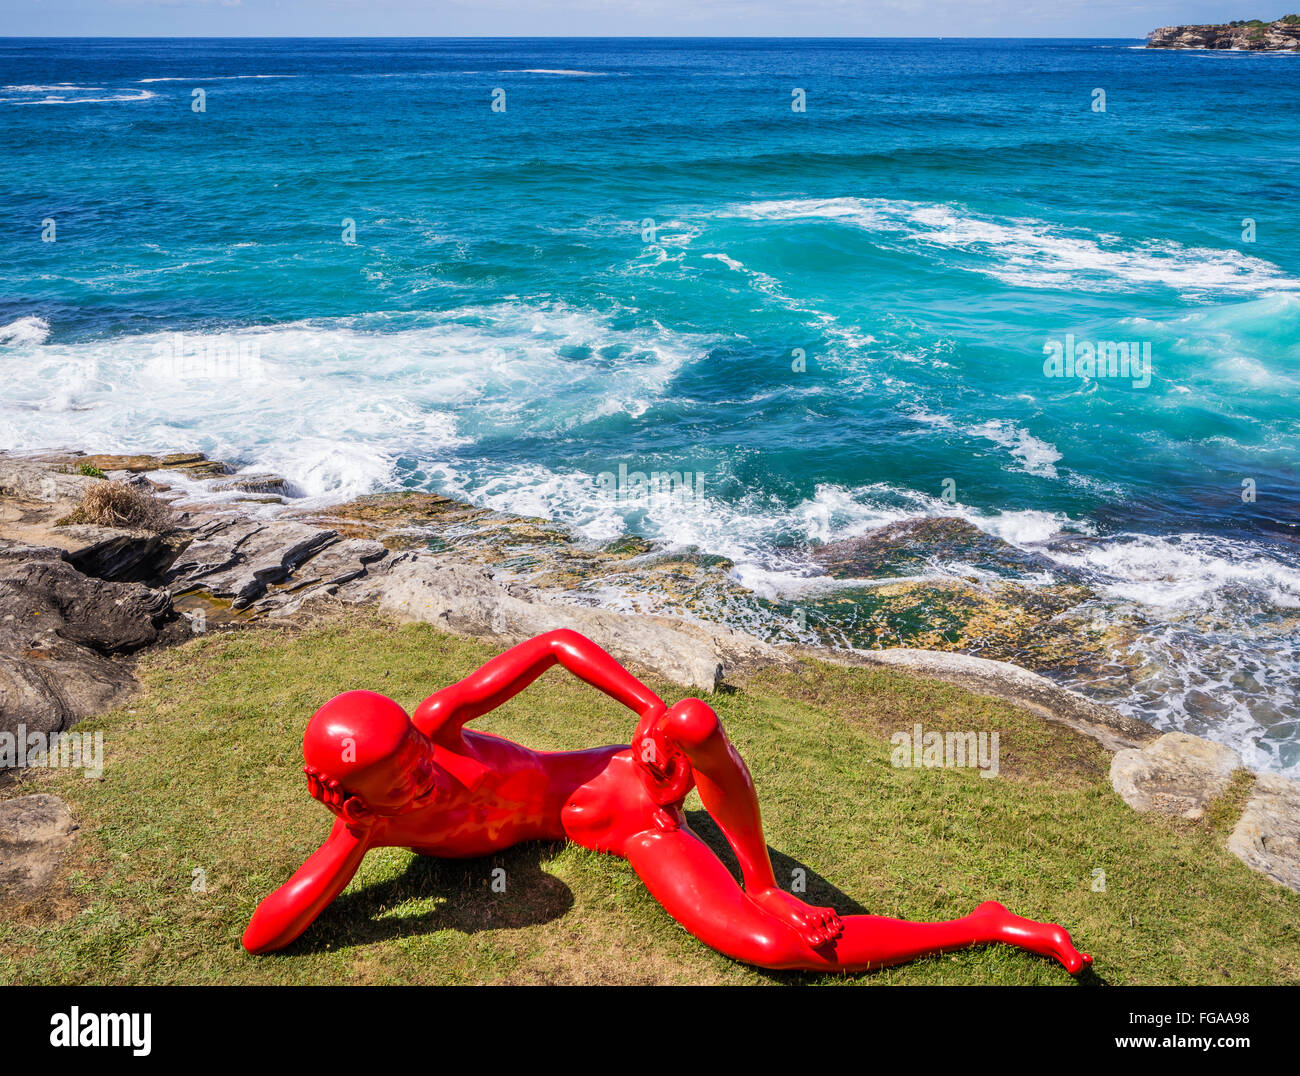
[[366, 758]]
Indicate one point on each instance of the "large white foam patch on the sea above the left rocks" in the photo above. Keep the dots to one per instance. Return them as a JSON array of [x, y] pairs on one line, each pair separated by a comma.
[[333, 405]]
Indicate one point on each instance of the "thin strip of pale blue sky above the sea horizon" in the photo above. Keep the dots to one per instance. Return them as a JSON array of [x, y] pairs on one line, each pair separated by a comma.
[[866, 19]]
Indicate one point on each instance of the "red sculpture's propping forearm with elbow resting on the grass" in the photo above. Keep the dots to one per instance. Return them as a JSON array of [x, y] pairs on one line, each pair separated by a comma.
[[292, 909]]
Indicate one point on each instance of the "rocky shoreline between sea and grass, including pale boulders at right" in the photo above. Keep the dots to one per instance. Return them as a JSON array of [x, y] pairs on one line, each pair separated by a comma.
[[79, 600]]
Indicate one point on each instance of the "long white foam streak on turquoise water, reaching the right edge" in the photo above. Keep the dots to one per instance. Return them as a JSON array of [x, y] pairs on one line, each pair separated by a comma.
[[1035, 254]]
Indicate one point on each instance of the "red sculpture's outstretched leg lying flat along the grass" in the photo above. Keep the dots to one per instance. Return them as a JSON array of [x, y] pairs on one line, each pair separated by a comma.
[[700, 893]]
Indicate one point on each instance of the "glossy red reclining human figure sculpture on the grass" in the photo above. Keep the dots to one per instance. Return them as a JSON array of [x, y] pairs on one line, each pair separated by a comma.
[[434, 787]]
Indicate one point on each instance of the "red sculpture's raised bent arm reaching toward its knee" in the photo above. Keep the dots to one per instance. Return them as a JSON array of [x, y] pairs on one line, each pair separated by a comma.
[[512, 672]]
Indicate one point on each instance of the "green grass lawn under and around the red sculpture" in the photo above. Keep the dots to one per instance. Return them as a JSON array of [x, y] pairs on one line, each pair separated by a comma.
[[202, 773]]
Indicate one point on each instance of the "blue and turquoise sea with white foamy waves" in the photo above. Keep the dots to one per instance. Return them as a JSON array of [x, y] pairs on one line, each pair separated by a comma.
[[341, 263]]
